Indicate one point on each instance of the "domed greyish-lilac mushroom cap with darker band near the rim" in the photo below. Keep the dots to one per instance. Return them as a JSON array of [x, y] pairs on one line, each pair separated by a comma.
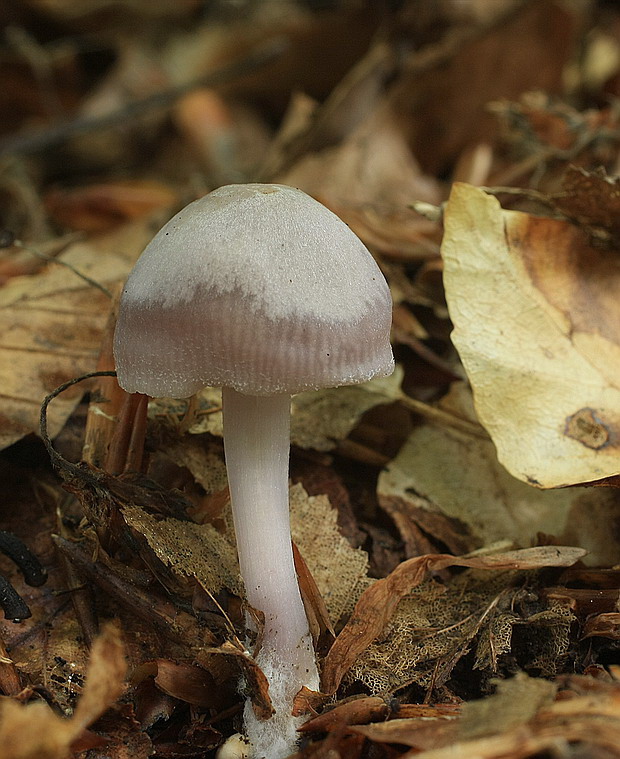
[[257, 287]]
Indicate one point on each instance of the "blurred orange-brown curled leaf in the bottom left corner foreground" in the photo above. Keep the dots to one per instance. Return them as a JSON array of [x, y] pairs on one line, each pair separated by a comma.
[[34, 731]]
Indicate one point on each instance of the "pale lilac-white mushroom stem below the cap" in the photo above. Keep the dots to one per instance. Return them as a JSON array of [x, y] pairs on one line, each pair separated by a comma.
[[257, 443]]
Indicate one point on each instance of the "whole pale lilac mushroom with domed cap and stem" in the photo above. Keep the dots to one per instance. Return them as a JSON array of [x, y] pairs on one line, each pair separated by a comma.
[[262, 290]]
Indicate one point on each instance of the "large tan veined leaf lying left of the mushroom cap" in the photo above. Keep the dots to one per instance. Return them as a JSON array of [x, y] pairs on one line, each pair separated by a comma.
[[51, 325]]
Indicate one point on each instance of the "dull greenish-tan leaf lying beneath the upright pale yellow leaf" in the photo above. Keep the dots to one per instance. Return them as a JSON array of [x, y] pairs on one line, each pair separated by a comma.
[[450, 486]]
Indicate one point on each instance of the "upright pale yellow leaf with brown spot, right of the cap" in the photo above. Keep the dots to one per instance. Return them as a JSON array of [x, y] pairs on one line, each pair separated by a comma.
[[536, 321]]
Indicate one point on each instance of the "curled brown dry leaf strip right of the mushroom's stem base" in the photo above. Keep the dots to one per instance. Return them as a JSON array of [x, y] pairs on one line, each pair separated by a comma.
[[377, 604]]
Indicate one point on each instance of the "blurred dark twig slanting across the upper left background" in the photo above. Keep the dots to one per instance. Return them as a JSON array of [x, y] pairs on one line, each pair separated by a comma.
[[56, 135]]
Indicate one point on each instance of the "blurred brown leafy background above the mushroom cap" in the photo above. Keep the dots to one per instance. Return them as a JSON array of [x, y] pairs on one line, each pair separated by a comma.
[[109, 109]]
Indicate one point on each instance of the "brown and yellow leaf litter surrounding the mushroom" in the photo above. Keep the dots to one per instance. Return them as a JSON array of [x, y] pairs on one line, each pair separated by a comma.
[[464, 601]]
